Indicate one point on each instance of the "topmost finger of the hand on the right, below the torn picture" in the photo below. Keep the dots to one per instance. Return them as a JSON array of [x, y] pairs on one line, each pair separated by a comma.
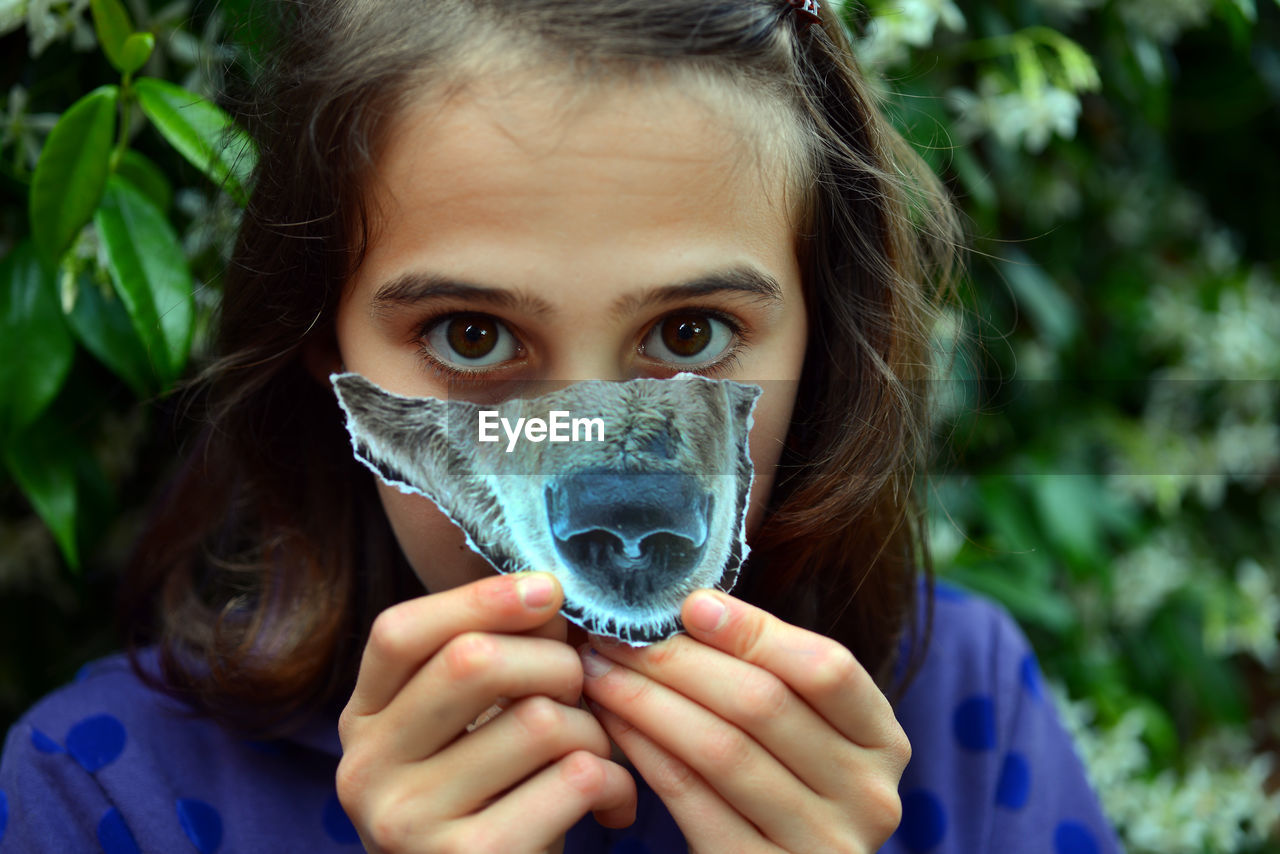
[[819, 669]]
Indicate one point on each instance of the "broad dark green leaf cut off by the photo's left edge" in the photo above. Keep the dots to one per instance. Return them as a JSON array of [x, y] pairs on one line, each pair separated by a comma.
[[36, 350]]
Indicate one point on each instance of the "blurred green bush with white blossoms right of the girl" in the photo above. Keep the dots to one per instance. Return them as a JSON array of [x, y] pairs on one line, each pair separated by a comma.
[[1109, 423]]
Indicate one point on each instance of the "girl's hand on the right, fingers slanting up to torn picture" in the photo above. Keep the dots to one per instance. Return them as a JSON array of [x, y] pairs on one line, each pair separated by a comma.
[[758, 736]]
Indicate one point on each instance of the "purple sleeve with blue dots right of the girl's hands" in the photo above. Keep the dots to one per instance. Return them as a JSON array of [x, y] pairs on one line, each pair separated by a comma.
[[993, 768]]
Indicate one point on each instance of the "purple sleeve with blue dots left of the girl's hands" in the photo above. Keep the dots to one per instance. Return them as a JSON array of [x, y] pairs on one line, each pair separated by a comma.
[[106, 765]]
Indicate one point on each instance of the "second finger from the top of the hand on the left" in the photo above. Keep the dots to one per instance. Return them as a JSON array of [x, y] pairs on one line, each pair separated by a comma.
[[464, 681]]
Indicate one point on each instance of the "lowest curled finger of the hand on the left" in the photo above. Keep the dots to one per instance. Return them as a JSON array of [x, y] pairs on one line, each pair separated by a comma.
[[546, 806]]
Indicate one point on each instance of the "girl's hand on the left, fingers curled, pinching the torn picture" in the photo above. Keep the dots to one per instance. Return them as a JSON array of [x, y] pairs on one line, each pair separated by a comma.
[[414, 779]]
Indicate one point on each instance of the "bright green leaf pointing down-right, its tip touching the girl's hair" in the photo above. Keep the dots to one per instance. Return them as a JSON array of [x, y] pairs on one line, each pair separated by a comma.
[[200, 131]]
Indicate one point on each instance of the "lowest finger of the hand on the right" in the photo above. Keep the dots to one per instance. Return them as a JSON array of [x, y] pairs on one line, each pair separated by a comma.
[[707, 823]]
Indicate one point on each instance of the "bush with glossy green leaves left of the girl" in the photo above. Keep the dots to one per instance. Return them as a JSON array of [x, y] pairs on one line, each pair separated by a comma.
[[118, 198]]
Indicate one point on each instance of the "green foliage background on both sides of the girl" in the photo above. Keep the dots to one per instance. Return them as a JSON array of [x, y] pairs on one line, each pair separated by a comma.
[[1109, 449]]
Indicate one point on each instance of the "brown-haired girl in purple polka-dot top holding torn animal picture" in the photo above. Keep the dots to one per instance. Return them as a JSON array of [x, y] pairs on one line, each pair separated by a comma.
[[556, 190]]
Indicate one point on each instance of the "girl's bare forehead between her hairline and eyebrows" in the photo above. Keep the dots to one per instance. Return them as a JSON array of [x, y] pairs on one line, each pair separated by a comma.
[[629, 175]]
